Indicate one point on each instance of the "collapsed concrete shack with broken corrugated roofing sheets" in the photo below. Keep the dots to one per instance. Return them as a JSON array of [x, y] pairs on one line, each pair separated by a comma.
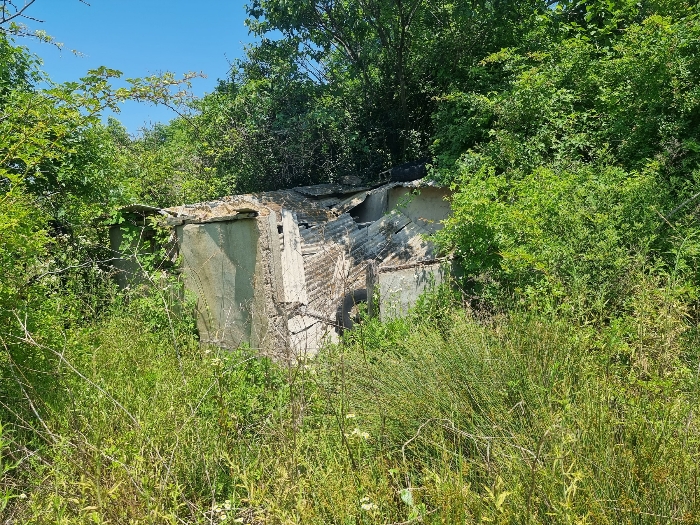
[[282, 271]]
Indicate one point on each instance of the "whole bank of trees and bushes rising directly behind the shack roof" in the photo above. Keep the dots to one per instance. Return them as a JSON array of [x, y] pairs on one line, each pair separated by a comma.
[[330, 90]]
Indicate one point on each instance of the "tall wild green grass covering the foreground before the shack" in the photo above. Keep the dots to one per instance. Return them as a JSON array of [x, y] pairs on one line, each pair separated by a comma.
[[443, 417]]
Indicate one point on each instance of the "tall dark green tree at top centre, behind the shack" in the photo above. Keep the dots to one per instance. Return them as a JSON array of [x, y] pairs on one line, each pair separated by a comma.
[[392, 58]]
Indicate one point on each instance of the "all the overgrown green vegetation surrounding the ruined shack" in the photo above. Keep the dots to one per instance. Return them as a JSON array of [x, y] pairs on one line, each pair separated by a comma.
[[557, 381]]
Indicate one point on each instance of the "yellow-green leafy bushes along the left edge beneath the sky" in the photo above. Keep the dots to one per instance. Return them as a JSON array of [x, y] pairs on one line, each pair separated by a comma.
[[59, 173]]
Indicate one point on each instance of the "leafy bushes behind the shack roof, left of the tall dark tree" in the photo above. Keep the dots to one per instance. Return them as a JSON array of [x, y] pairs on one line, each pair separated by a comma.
[[269, 126]]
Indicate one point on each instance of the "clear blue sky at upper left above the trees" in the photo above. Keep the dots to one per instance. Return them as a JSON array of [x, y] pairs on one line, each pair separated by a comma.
[[141, 37]]
